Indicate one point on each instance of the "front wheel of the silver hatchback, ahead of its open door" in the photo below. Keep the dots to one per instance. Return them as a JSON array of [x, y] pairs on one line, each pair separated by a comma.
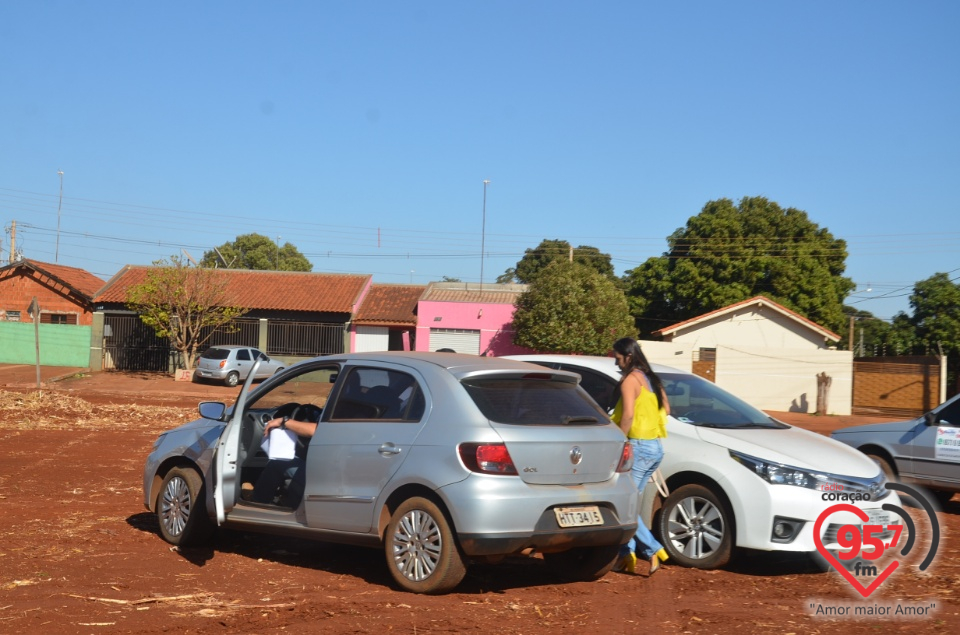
[[182, 509]]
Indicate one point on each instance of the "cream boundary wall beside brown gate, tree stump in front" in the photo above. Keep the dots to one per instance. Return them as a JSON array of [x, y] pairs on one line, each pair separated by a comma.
[[786, 379]]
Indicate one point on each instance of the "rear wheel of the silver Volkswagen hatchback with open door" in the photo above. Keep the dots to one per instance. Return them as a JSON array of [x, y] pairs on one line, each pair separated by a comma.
[[422, 554]]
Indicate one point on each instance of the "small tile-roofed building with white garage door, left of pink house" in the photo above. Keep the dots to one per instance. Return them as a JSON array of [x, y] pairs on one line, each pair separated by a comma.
[[387, 318]]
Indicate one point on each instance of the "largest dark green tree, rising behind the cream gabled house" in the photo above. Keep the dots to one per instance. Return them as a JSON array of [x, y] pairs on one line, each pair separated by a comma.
[[732, 252]]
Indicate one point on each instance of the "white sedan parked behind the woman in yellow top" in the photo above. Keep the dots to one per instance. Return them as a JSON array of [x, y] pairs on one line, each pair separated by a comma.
[[738, 478]]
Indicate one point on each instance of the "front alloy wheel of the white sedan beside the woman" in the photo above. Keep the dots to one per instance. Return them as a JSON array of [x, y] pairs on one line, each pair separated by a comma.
[[696, 528]]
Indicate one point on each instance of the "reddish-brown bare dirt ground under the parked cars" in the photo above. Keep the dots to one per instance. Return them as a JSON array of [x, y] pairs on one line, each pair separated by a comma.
[[80, 554]]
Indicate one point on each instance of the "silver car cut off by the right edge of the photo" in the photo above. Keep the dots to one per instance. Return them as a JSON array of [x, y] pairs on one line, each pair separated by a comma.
[[924, 451]]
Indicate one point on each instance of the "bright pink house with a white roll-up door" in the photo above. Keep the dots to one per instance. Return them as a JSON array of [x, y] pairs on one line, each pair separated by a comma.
[[468, 318]]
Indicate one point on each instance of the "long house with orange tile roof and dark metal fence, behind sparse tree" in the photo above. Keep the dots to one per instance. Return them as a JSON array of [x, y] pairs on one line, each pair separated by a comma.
[[292, 315]]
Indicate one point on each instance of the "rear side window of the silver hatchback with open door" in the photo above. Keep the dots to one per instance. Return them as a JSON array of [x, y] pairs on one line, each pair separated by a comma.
[[378, 393]]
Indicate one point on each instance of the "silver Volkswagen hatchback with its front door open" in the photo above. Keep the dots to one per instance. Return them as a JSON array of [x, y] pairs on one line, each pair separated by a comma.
[[439, 459]]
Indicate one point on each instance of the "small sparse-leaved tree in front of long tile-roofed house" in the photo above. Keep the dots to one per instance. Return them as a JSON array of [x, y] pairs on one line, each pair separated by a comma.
[[182, 303]]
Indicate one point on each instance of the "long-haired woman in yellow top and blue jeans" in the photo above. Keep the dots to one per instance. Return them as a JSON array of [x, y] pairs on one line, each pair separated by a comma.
[[641, 413]]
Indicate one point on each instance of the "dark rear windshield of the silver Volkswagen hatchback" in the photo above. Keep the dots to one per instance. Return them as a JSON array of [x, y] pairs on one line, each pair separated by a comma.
[[534, 400]]
